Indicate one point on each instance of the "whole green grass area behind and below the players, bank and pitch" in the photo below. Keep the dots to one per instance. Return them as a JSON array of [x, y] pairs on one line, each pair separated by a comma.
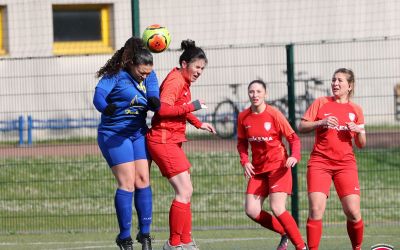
[[60, 200]]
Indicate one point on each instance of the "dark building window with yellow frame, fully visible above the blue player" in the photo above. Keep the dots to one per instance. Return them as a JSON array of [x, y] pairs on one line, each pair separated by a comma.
[[81, 29]]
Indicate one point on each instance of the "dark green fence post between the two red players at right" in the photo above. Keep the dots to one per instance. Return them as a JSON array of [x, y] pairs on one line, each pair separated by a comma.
[[292, 120]]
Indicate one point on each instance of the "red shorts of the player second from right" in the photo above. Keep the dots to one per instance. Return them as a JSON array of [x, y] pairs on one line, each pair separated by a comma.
[[278, 180]]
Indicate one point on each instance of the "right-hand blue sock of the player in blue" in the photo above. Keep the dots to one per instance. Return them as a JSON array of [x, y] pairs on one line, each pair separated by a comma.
[[144, 208]]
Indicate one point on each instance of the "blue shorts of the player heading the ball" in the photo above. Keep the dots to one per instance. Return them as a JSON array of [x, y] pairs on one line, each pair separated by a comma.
[[118, 149]]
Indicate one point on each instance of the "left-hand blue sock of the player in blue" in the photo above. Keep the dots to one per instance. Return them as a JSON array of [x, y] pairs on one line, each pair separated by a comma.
[[123, 208]]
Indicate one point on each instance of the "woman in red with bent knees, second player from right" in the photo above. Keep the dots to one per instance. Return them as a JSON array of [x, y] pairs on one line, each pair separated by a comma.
[[269, 173]]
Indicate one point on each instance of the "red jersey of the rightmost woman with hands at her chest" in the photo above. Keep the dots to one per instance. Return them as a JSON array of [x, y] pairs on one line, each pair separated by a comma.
[[334, 143]]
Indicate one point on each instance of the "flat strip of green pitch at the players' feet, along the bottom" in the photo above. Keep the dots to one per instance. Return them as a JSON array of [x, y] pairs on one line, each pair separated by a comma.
[[334, 238]]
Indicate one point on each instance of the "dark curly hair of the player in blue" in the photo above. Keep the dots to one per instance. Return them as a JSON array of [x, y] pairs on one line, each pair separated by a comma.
[[133, 52]]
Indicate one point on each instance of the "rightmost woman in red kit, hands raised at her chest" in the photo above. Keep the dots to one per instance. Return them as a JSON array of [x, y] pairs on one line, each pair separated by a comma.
[[336, 121]]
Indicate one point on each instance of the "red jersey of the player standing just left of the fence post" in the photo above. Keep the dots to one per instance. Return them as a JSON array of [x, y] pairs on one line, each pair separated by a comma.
[[264, 132]]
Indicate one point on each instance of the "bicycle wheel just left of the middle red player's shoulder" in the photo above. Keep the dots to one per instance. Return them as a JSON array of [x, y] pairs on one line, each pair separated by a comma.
[[224, 119]]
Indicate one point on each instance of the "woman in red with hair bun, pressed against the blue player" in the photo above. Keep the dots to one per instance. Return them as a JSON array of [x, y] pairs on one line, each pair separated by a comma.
[[167, 134]]
